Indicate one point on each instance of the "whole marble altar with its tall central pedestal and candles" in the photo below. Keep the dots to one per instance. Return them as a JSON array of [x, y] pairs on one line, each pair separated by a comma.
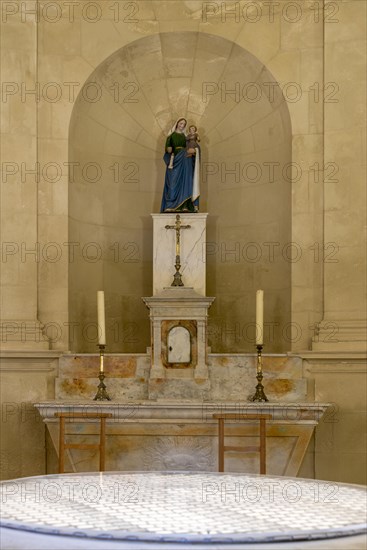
[[162, 402]]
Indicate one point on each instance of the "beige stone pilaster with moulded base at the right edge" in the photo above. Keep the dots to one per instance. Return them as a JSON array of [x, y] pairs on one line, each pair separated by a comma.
[[344, 323]]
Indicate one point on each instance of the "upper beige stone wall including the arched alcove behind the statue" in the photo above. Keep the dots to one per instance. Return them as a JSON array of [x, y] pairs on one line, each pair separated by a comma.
[[58, 56]]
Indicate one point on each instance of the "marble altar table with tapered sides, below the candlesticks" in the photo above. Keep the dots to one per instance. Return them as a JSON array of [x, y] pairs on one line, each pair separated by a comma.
[[143, 435]]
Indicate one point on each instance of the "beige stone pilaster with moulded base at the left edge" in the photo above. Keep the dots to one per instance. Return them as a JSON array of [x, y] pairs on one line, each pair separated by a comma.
[[20, 328]]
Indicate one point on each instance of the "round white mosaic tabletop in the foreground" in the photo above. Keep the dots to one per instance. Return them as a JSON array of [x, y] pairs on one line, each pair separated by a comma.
[[183, 507]]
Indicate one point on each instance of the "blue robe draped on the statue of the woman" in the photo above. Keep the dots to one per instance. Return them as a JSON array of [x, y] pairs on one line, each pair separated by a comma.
[[179, 194]]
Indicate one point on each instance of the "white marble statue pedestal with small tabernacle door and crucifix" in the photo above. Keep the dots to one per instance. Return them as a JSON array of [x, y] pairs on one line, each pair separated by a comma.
[[178, 314]]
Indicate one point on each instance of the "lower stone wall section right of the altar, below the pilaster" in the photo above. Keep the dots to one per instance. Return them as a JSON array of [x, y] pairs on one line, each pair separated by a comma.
[[340, 442]]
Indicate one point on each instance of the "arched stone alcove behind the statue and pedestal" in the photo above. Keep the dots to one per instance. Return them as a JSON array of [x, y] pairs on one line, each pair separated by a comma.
[[116, 141]]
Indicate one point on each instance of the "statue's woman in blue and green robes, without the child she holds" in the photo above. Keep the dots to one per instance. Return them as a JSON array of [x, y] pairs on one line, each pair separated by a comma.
[[181, 185]]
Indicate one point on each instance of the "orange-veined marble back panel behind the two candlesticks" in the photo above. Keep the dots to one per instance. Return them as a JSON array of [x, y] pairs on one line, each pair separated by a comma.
[[229, 378]]
